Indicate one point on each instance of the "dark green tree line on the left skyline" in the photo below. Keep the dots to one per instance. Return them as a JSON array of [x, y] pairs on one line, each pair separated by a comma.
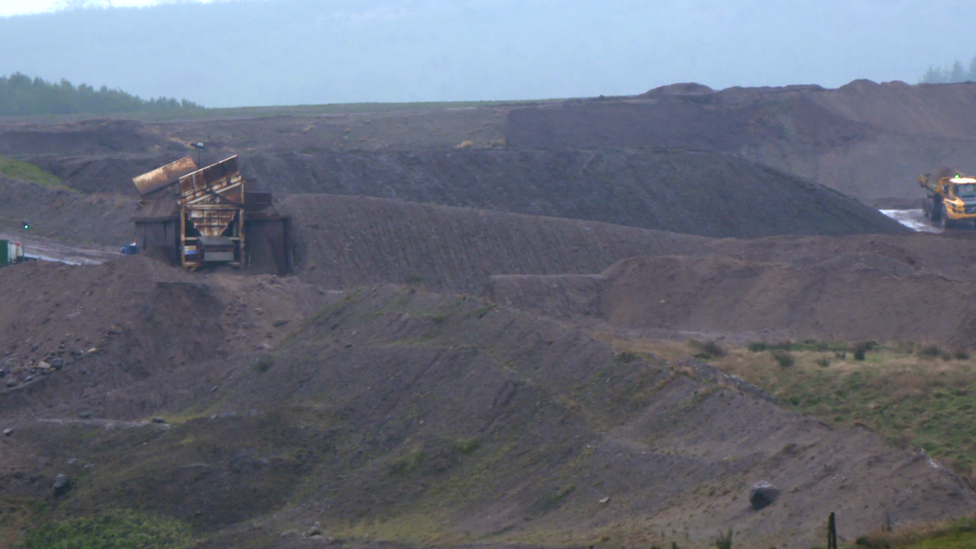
[[23, 95]]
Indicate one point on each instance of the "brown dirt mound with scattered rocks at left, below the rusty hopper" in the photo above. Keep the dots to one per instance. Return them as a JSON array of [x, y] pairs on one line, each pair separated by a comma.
[[117, 322]]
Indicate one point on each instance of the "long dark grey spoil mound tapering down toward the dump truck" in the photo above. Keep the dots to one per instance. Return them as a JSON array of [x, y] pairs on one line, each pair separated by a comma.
[[693, 192]]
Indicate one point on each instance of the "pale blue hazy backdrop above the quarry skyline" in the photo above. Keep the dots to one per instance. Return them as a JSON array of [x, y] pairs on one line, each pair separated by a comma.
[[271, 52]]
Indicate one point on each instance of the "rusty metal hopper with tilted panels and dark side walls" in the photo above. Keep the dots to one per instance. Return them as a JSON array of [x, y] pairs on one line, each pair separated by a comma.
[[203, 217]]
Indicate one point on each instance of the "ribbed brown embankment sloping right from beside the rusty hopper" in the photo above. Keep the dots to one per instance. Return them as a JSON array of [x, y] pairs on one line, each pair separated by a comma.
[[346, 241]]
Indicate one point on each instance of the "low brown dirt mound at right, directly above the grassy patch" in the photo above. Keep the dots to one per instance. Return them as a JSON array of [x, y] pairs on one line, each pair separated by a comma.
[[887, 291]]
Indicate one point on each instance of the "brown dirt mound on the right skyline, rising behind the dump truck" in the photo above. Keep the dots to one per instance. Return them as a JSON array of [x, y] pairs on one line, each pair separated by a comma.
[[866, 140]]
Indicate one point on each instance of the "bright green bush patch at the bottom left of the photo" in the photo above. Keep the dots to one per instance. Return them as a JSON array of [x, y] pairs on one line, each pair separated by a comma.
[[114, 530]]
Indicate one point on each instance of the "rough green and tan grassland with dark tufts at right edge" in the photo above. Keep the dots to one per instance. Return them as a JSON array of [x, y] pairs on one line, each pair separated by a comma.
[[903, 394]]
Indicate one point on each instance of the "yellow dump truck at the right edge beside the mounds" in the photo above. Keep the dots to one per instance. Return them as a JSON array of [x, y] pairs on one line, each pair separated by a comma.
[[950, 198]]
